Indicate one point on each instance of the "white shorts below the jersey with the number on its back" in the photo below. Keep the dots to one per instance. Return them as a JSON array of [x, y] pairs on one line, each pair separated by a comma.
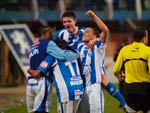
[[68, 107]]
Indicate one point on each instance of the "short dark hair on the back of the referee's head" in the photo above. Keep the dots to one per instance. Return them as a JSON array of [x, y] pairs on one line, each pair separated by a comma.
[[139, 34]]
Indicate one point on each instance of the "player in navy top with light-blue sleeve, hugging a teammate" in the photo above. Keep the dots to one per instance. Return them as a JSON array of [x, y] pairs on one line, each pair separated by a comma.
[[36, 101]]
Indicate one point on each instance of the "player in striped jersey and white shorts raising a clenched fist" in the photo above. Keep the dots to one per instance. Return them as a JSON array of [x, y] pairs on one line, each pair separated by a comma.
[[92, 60]]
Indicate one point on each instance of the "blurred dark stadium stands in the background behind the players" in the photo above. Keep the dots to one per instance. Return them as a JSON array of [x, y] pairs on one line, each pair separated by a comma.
[[121, 16]]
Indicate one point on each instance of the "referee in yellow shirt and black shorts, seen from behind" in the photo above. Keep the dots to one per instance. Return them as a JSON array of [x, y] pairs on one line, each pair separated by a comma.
[[135, 58]]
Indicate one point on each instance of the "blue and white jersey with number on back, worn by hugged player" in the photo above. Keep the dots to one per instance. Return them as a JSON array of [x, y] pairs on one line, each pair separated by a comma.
[[67, 78]]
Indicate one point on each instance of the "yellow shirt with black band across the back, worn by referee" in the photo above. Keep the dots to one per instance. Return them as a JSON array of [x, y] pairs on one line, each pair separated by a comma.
[[135, 58]]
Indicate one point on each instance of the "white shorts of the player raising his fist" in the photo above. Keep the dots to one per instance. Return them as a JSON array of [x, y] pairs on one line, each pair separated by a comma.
[[96, 98]]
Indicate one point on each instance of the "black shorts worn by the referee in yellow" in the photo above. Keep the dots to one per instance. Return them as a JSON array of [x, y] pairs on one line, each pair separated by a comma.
[[137, 96]]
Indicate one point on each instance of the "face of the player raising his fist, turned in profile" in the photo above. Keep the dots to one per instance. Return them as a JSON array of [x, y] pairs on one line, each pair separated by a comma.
[[87, 35]]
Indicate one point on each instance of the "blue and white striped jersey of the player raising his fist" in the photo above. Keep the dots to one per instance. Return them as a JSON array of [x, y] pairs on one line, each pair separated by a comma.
[[92, 61]]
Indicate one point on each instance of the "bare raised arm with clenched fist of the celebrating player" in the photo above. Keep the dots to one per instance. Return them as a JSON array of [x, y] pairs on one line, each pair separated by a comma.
[[105, 31]]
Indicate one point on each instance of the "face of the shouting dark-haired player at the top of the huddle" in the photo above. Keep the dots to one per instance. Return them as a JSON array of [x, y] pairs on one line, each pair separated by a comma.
[[69, 23]]
